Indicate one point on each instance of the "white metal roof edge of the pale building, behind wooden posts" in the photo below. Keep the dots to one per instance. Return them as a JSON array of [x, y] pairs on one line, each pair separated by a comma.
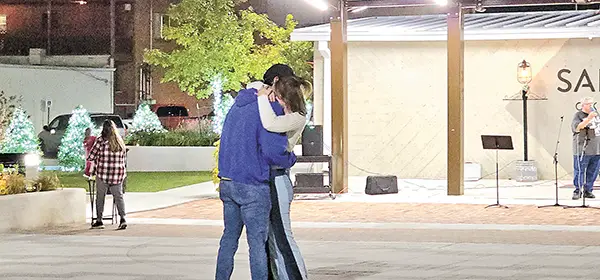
[[481, 26]]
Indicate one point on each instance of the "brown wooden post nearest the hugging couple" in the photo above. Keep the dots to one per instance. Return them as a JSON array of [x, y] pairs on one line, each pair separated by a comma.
[[339, 100]]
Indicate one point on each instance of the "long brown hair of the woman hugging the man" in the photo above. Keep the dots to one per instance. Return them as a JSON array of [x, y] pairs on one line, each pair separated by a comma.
[[294, 91]]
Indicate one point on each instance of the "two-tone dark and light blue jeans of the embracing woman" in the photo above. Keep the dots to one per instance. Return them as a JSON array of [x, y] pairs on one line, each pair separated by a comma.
[[285, 260]]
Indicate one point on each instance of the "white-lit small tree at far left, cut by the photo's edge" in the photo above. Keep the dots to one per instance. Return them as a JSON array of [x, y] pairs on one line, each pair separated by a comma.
[[20, 135]]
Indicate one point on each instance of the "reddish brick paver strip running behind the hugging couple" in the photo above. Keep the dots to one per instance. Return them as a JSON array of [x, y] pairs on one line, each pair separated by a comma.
[[331, 211]]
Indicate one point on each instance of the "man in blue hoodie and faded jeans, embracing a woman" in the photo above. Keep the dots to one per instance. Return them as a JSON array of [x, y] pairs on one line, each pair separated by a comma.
[[246, 152]]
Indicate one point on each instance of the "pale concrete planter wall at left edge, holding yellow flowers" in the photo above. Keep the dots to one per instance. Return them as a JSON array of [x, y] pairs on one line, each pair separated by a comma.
[[30, 211]]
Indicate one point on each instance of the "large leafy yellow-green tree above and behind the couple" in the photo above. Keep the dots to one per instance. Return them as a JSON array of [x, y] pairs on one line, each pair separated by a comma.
[[215, 42]]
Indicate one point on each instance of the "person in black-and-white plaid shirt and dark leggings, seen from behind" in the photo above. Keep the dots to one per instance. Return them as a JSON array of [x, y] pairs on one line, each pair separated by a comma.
[[108, 157]]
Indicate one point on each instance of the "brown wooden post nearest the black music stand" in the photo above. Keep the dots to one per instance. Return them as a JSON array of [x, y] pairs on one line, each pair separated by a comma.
[[455, 101]]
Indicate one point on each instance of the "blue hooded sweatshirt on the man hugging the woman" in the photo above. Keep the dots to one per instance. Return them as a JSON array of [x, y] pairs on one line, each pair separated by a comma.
[[247, 150]]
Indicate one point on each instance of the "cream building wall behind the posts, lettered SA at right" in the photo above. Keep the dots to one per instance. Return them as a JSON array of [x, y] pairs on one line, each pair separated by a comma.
[[398, 103]]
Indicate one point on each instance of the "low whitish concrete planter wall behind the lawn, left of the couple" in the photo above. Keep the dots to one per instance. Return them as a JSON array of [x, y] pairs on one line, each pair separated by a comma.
[[170, 159]]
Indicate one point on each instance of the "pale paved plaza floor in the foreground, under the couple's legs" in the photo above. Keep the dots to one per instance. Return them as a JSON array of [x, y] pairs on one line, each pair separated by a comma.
[[146, 251]]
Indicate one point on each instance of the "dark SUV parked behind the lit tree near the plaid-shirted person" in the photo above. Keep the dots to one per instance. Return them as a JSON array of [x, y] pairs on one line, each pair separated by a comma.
[[51, 136]]
